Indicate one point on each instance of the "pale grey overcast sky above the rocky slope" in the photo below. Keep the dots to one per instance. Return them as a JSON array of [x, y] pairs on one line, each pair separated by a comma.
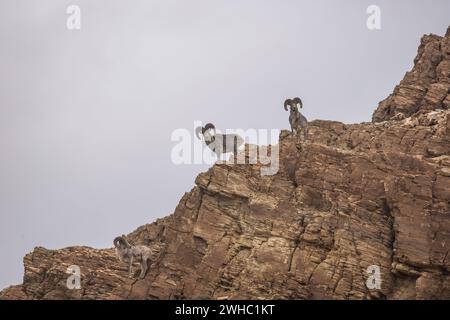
[[86, 115]]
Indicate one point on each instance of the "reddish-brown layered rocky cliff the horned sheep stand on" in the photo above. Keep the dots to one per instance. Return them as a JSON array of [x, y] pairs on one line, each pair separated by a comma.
[[350, 197]]
